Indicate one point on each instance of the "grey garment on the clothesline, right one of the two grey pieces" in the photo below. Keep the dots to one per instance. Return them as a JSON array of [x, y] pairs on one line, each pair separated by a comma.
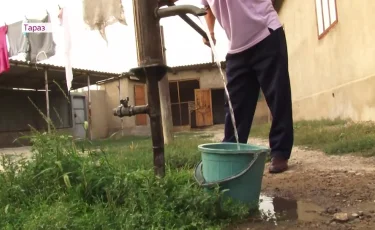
[[42, 45]]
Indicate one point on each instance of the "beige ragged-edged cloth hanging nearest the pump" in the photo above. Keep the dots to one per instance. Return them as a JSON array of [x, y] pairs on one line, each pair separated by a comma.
[[98, 14]]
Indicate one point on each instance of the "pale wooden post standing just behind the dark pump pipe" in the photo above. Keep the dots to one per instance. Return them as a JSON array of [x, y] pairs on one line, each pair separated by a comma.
[[165, 100]]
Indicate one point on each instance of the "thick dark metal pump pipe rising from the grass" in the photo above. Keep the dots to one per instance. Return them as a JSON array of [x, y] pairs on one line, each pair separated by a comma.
[[149, 51]]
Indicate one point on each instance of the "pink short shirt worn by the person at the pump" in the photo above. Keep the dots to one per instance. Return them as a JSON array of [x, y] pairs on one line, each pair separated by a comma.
[[245, 22]]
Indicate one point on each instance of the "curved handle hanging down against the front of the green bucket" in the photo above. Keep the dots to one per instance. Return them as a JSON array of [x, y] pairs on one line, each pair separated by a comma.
[[198, 175]]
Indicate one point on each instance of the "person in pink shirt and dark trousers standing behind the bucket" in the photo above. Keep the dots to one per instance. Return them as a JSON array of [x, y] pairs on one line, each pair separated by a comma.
[[257, 59]]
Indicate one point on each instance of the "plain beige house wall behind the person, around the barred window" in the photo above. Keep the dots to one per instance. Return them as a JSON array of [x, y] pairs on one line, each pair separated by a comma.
[[332, 77]]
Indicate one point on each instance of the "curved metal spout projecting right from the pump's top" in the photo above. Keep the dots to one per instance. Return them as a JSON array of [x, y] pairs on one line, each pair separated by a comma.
[[179, 10]]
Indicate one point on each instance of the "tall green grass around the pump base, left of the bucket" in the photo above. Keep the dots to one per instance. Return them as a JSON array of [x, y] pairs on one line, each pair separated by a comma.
[[108, 184]]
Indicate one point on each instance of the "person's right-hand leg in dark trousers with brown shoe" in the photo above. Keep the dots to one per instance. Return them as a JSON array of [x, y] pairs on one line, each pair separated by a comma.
[[271, 67]]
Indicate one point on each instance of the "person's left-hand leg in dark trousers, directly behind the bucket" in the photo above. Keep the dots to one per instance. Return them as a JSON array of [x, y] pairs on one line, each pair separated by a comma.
[[243, 88]]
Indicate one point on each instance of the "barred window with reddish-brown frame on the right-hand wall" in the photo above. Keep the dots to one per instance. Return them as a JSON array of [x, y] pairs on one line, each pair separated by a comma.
[[326, 13]]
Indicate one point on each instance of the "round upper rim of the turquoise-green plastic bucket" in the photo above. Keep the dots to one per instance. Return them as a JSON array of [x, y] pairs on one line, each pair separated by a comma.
[[255, 148]]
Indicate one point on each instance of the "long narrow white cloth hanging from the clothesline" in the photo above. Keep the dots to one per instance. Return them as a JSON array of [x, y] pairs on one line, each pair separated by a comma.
[[64, 21]]
